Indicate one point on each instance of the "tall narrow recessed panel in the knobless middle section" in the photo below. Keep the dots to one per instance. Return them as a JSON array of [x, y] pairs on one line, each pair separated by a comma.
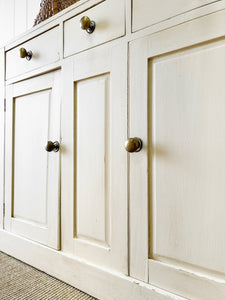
[[92, 100]]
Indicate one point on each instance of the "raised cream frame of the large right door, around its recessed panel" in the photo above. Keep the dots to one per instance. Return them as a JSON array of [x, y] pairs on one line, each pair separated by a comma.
[[158, 273]]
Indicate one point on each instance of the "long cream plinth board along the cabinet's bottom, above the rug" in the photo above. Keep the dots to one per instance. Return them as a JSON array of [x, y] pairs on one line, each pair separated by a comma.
[[102, 284]]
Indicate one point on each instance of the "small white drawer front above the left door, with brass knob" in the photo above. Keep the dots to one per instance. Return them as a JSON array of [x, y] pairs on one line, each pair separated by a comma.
[[45, 50]]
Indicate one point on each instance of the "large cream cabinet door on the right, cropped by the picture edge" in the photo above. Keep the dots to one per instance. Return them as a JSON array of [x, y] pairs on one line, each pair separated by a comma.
[[177, 181]]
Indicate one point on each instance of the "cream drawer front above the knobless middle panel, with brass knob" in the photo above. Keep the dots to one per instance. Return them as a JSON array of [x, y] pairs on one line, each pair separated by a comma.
[[109, 17]]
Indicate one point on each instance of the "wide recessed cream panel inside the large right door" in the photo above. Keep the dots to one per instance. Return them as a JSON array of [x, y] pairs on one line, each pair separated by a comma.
[[188, 146]]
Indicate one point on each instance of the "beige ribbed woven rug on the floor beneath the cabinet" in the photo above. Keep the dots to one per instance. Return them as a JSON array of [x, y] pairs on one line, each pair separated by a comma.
[[19, 281]]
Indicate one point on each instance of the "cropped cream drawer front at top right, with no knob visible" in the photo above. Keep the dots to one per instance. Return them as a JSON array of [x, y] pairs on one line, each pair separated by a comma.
[[149, 12]]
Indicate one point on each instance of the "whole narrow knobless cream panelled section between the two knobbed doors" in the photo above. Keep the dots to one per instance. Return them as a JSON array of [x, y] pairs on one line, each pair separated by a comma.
[[94, 178]]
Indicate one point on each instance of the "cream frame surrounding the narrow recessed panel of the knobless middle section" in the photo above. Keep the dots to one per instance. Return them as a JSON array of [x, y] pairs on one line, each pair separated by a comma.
[[102, 60]]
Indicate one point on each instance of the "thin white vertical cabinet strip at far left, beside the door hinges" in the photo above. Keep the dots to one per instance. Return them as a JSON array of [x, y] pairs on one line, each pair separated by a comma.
[[2, 133]]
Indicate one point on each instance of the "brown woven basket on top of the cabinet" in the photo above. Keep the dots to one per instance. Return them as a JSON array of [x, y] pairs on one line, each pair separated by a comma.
[[49, 8]]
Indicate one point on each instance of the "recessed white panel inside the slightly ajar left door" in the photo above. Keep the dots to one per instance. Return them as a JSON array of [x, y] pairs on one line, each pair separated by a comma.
[[30, 161]]
